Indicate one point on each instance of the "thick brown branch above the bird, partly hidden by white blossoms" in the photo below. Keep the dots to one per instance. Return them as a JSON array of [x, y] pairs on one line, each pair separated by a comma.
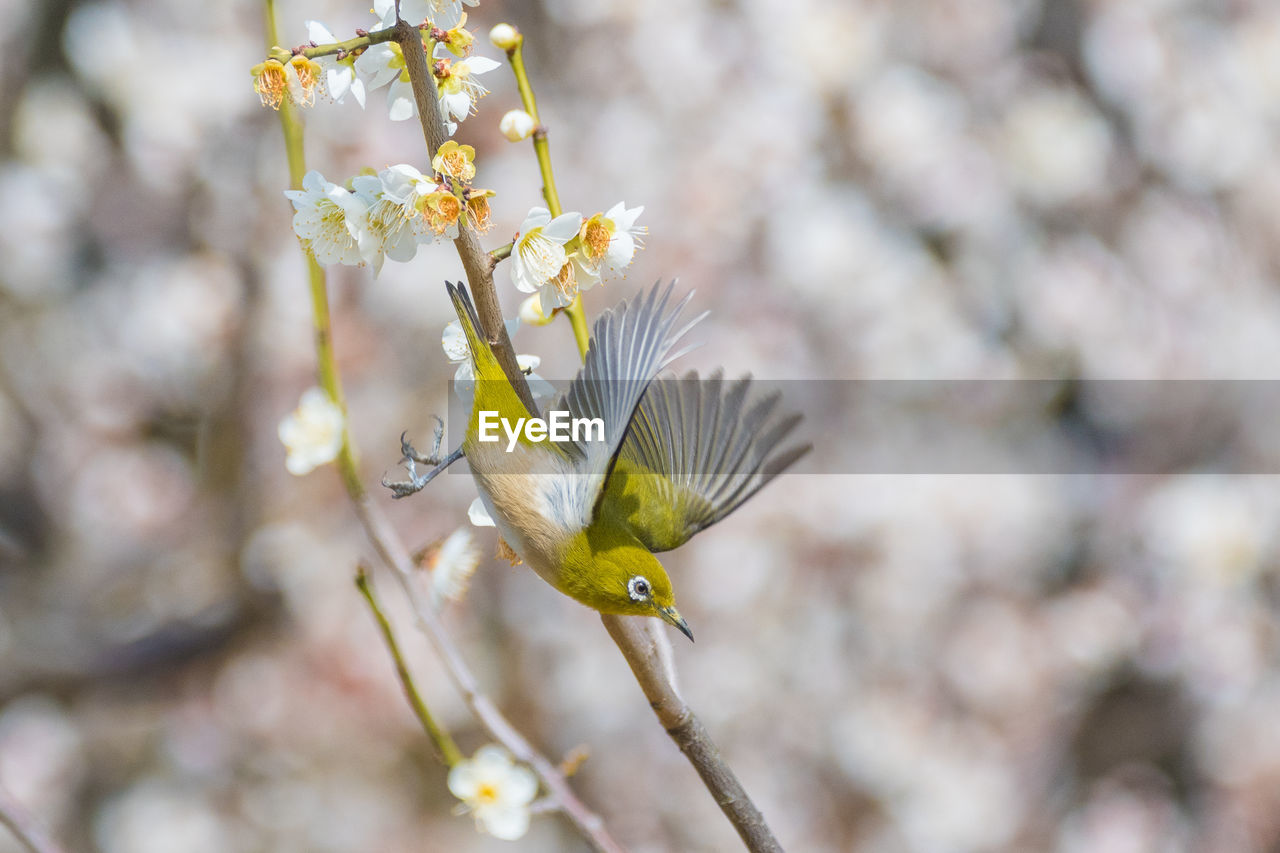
[[476, 261]]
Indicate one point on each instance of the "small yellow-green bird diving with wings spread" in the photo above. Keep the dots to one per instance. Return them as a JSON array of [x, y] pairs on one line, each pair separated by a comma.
[[675, 458]]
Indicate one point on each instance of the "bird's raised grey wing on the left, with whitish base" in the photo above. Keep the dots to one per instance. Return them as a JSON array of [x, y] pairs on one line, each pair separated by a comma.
[[630, 345]]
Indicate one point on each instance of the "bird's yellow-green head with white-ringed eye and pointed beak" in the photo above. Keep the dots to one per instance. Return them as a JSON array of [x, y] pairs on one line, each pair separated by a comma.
[[629, 580]]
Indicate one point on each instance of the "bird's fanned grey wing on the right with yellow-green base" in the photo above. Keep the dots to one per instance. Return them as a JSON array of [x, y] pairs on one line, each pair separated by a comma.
[[696, 451]]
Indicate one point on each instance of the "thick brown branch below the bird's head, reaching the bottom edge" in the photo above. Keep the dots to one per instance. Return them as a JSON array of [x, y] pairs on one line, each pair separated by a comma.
[[648, 655]]
